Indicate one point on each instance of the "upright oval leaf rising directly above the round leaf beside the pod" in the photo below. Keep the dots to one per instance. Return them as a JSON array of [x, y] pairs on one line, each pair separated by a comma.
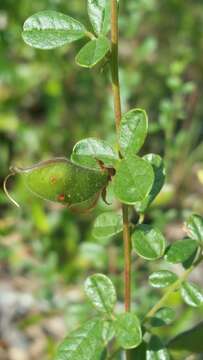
[[133, 131]]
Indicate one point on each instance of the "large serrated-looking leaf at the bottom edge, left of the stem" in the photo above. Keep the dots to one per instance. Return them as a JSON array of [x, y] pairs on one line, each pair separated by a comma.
[[83, 344]]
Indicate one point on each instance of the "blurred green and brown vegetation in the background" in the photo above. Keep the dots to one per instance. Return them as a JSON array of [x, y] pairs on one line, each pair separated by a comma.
[[47, 104]]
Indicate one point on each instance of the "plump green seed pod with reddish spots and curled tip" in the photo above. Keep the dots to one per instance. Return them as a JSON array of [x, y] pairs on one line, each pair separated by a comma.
[[59, 180]]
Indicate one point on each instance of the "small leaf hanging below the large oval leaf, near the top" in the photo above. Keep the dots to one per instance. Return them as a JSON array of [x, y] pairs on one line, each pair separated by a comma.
[[93, 52]]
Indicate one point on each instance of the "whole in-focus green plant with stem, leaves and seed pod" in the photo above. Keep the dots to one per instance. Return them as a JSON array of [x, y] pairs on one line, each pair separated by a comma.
[[136, 181]]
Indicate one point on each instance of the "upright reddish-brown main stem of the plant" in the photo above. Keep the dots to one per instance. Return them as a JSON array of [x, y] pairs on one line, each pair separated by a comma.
[[118, 114]]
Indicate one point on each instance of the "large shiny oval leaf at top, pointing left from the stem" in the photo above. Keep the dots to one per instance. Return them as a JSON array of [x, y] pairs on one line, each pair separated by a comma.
[[51, 29]]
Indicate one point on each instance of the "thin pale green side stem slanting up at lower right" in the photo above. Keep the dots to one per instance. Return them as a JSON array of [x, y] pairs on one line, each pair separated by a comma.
[[175, 286]]
